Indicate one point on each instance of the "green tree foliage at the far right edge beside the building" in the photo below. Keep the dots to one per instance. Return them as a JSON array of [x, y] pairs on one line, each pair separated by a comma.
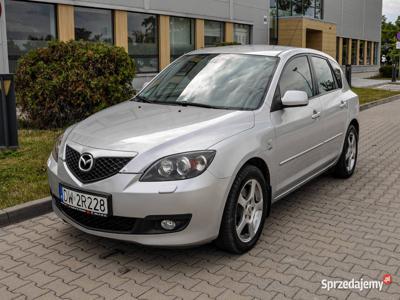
[[389, 31]]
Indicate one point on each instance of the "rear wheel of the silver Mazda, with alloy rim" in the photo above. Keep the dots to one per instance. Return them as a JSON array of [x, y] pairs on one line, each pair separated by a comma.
[[346, 165]]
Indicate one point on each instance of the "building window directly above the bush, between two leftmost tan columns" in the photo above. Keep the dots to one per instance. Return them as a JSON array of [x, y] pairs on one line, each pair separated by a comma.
[[93, 24]]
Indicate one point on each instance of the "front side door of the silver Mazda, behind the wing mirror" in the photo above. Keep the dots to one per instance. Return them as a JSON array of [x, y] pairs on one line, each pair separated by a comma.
[[298, 130]]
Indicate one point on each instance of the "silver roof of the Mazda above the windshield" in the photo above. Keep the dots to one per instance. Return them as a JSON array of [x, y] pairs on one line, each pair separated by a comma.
[[265, 50]]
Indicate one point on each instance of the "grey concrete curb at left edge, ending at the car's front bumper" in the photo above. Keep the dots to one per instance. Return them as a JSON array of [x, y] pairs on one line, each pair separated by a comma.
[[22, 212]]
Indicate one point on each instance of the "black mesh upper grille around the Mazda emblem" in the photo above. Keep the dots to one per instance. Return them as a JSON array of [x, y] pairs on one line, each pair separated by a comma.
[[104, 167]]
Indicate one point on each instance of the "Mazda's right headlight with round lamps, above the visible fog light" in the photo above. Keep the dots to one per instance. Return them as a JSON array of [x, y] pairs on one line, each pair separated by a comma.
[[179, 166]]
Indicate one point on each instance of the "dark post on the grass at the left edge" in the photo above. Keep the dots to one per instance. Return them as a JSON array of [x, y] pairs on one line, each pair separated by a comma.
[[8, 113]]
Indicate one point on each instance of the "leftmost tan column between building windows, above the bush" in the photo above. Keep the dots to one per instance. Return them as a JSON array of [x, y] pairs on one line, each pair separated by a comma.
[[65, 22]]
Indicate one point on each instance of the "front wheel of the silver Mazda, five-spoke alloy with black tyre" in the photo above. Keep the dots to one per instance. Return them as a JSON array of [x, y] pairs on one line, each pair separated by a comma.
[[235, 213]]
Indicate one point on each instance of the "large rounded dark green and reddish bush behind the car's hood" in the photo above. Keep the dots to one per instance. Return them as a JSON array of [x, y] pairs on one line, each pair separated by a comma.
[[68, 81]]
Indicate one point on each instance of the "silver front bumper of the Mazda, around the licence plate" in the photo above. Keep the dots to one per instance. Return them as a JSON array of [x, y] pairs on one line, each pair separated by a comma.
[[201, 198]]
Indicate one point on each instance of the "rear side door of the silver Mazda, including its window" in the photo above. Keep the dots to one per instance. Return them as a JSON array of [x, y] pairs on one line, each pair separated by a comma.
[[334, 106]]
